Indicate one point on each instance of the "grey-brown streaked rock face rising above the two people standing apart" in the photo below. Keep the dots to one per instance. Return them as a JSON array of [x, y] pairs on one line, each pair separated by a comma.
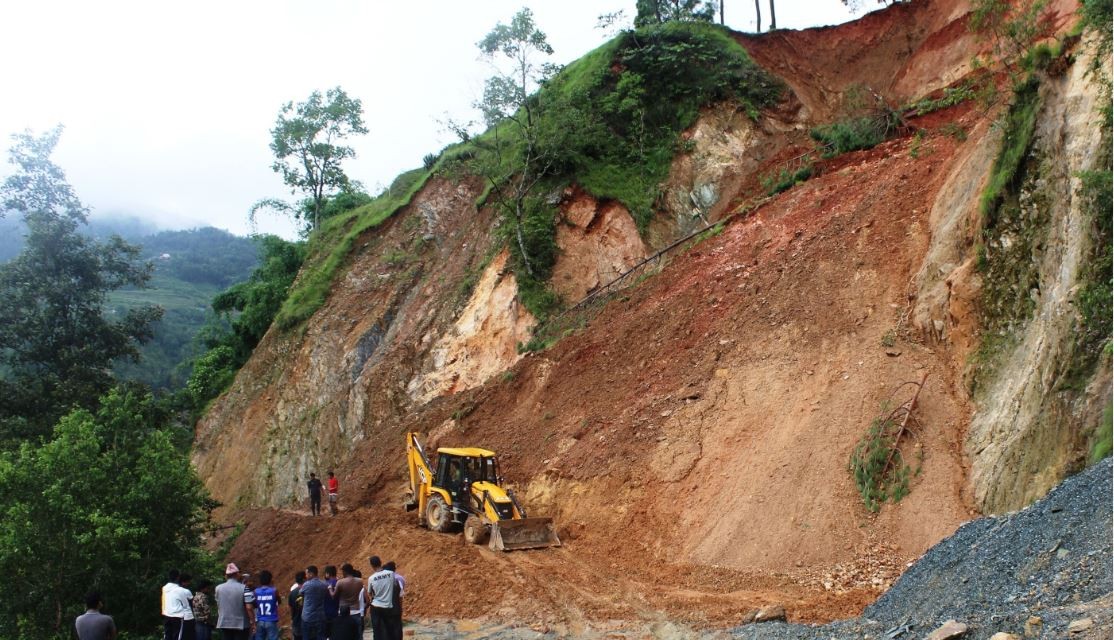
[[307, 399]]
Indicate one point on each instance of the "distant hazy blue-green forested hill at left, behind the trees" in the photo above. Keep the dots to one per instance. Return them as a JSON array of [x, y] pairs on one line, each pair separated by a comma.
[[191, 268]]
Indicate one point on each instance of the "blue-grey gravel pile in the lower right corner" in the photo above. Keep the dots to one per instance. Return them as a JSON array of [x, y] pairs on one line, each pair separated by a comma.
[[1051, 560]]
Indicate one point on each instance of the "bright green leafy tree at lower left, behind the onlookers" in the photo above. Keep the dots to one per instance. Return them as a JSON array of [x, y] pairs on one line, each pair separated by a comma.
[[108, 504]]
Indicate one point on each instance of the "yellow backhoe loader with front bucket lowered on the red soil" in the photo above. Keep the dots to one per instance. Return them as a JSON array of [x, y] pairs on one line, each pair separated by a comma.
[[466, 491]]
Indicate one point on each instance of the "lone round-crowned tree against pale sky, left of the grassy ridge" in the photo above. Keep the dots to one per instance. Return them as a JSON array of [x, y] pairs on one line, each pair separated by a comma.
[[308, 145]]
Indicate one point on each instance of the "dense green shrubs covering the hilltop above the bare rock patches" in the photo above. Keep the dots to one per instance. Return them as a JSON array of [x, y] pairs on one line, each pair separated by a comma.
[[612, 120]]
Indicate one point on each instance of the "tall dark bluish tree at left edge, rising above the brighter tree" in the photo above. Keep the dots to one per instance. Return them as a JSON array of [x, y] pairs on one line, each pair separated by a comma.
[[57, 344]]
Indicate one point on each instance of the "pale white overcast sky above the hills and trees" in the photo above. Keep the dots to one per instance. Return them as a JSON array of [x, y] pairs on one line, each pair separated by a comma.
[[168, 106]]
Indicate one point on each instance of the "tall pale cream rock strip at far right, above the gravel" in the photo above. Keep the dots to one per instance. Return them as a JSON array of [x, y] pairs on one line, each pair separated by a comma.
[[1027, 432]]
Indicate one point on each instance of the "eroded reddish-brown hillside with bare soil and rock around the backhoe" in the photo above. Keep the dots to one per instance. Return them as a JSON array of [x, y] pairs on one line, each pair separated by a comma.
[[701, 425]]
